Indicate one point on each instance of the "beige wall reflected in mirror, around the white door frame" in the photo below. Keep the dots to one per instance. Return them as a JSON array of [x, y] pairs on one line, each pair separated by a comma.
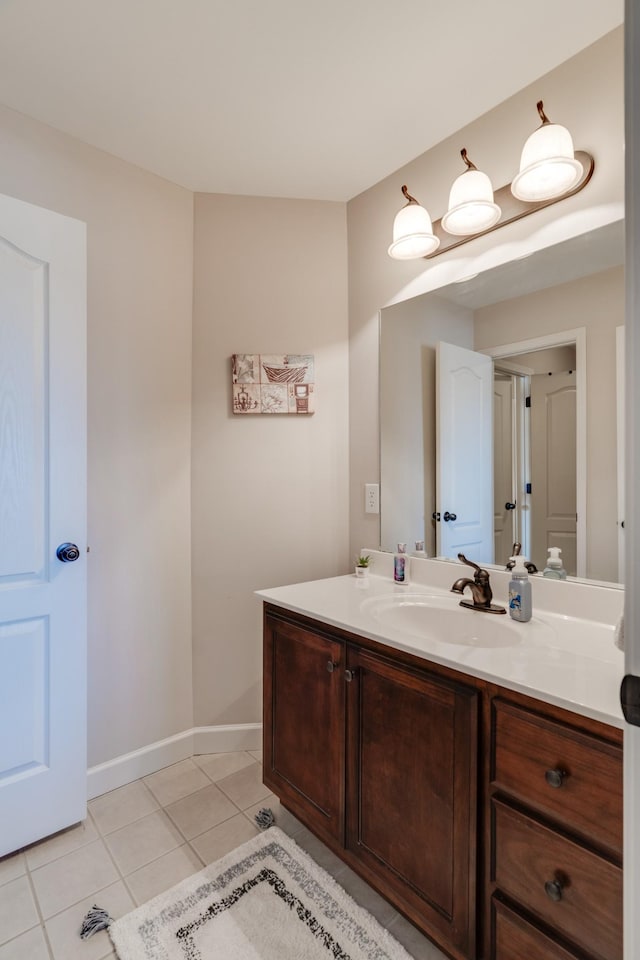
[[597, 304]]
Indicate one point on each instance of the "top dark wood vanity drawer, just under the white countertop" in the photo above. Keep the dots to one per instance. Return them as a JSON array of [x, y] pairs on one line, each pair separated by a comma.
[[571, 776]]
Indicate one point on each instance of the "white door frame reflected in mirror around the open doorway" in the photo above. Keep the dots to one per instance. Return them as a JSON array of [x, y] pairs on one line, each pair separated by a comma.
[[576, 337]]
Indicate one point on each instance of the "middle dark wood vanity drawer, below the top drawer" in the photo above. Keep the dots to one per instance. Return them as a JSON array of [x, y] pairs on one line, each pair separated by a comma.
[[570, 888]]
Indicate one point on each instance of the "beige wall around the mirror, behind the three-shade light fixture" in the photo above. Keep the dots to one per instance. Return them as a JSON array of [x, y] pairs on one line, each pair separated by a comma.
[[585, 93]]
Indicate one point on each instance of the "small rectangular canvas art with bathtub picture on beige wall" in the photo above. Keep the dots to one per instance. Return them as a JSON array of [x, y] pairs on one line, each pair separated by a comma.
[[273, 383]]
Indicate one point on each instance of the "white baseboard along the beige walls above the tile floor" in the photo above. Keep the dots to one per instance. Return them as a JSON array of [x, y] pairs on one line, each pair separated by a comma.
[[140, 763]]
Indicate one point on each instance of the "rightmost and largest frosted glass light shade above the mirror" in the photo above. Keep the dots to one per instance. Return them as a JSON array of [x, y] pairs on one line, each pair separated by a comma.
[[548, 167]]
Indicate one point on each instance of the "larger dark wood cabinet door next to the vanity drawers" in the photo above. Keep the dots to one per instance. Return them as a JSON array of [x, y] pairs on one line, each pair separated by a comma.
[[411, 783]]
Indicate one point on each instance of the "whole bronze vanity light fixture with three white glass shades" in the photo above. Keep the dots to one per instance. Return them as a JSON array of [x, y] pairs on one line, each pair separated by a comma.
[[550, 171]]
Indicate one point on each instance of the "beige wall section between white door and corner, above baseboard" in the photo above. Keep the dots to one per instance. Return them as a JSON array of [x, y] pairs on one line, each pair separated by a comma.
[[140, 239]]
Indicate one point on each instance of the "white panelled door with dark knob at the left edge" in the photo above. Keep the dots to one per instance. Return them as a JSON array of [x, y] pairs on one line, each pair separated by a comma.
[[42, 505]]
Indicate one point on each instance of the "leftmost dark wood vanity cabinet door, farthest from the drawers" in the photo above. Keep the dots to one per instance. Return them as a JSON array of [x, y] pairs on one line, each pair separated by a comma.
[[304, 724]]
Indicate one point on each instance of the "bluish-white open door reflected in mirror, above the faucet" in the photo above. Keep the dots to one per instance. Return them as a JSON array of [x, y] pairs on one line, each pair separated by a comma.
[[464, 481]]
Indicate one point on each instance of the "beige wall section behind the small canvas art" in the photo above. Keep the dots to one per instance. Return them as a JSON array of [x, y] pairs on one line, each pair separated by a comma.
[[270, 493]]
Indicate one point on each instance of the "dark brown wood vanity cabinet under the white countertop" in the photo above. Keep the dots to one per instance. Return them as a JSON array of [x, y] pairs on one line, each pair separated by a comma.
[[491, 820]]
